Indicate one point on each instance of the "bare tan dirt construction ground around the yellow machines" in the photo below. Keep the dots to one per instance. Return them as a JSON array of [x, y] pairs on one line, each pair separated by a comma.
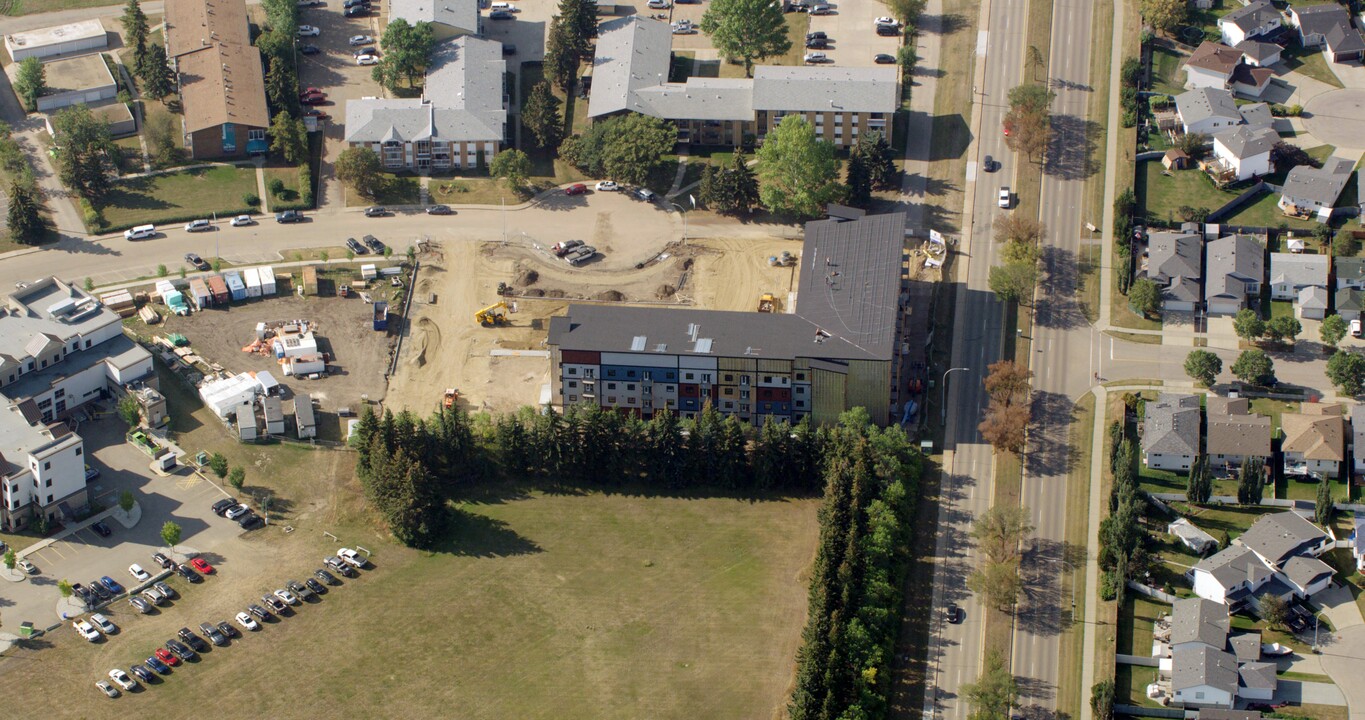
[[448, 349]]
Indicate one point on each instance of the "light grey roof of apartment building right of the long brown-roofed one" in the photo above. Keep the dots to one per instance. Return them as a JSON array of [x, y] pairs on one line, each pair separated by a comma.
[[463, 100]]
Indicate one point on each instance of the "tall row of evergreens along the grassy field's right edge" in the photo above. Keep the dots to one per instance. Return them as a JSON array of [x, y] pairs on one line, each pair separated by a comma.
[[855, 599]]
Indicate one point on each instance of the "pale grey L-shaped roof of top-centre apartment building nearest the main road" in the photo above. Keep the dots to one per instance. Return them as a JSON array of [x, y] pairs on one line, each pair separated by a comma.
[[631, 73]]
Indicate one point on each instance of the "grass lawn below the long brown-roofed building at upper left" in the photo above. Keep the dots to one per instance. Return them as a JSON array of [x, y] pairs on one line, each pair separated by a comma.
[[178, 196]]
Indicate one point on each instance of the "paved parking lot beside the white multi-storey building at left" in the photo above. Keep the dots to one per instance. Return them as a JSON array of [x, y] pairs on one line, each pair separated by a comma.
[[84, 555]]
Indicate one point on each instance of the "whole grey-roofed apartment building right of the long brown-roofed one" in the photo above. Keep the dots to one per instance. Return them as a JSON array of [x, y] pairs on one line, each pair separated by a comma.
[[461, 122]]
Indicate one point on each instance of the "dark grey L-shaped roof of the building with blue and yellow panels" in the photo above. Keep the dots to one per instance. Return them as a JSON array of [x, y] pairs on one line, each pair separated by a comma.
[[846, 316]]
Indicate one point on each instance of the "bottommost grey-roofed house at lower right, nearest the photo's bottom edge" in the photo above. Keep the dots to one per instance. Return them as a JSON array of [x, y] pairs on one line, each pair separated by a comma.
[[1207, 667]]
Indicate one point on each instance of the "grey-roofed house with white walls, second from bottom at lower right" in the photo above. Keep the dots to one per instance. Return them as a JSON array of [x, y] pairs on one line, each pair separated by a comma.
[[1277, 555]]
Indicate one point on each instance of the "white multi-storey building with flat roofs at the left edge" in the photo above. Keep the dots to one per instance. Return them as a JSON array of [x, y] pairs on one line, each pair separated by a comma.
[[59, 349]]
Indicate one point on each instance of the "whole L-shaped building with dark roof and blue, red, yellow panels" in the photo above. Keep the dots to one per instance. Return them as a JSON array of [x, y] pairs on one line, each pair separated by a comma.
[[833, 353]]
